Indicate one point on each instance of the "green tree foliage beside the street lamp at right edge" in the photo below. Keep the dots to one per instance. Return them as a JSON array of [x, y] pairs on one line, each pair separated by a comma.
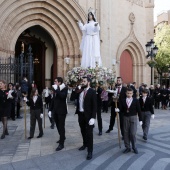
[[162, 40]]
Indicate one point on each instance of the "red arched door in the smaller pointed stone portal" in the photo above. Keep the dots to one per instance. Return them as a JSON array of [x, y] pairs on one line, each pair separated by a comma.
[[126, 67]]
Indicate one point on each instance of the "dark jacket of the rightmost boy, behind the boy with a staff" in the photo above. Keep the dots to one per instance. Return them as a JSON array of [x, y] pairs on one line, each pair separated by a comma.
[[147, 106]]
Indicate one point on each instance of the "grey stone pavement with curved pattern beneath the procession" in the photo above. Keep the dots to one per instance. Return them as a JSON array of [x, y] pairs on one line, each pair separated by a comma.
[[18, 153]]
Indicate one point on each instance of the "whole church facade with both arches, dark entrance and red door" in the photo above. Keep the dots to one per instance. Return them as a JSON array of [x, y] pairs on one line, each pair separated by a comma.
[[51, 29]]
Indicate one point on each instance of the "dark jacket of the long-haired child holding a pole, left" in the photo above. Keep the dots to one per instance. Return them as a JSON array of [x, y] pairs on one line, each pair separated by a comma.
[[37, 105]]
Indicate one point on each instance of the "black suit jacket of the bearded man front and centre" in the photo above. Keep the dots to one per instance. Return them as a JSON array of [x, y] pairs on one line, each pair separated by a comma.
[[90, 104]]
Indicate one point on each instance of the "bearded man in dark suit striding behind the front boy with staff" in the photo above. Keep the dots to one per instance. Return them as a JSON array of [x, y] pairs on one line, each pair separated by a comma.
[[121, 92]]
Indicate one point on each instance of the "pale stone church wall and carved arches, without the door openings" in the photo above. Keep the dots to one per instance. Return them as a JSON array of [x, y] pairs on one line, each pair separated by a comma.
[[58, 19]]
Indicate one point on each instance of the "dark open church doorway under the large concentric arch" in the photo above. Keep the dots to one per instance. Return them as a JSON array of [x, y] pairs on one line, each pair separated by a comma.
[[43, 50]]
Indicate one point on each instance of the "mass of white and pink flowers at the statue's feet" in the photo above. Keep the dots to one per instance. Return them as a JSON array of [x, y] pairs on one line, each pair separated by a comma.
[[98, 75]]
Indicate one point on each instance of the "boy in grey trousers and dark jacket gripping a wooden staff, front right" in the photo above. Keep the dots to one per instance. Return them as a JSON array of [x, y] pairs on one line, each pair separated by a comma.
[[130, 108]]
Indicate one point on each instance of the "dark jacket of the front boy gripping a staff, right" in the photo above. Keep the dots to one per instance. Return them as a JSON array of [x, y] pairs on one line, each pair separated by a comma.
[[133, 110]]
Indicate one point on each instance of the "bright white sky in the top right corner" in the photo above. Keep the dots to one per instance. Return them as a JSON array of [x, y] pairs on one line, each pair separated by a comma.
[[161, 5]]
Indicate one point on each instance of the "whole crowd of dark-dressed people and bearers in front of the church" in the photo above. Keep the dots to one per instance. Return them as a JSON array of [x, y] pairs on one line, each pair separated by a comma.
[[89, 103]]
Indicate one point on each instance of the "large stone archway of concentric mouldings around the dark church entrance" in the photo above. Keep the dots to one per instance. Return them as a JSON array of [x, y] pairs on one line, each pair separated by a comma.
[[56, 17]]
